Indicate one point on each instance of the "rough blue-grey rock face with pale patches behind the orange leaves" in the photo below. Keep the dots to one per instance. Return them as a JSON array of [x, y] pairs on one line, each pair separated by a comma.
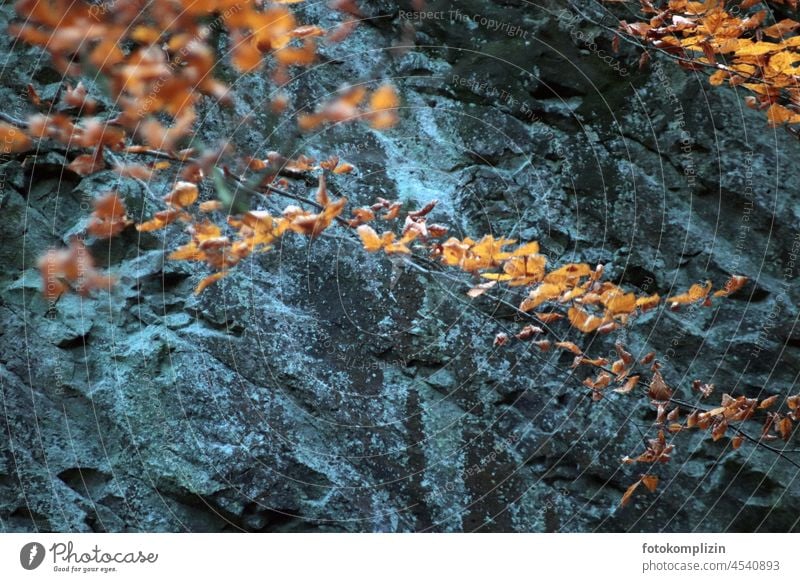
[[322, 389]]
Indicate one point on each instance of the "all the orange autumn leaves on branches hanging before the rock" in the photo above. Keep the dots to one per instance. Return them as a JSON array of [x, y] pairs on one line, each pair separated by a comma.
[[157, 62]]
